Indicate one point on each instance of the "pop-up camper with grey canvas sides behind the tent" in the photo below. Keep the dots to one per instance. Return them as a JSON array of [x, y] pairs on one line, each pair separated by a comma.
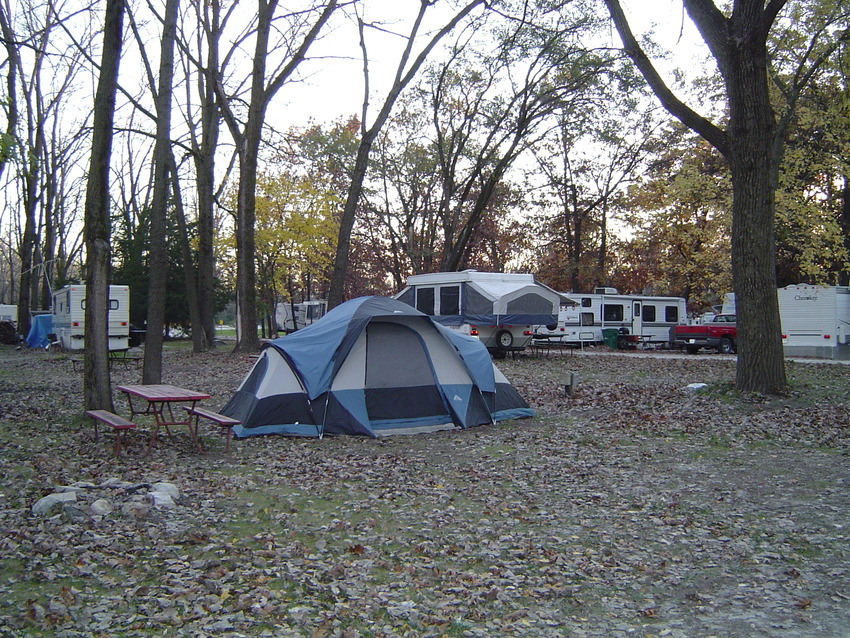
[[500, 309]]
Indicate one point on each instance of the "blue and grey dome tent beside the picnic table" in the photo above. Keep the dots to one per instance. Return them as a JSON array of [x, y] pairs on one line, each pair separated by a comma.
[[372, 366]]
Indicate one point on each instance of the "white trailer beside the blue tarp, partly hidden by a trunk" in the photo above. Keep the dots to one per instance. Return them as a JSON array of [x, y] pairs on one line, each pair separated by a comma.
[[69, 317]]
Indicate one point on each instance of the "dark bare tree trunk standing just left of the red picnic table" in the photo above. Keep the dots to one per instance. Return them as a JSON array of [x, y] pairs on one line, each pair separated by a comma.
[[97, 388]]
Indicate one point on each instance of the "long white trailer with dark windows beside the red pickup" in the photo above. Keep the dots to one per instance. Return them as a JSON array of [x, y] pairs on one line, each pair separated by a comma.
[[638, 319]]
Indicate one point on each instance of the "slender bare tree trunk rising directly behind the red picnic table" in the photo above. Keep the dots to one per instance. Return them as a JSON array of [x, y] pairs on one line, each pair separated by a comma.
[[158, 275]]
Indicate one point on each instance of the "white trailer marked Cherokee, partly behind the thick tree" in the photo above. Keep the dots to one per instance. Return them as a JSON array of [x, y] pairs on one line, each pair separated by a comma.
[[815, 320]]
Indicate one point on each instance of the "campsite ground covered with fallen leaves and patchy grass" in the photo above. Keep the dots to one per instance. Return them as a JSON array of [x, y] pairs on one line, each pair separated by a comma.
[[633, 507]]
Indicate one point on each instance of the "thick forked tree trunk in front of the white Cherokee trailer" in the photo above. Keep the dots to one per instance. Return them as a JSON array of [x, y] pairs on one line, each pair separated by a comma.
[[749, 144]]
